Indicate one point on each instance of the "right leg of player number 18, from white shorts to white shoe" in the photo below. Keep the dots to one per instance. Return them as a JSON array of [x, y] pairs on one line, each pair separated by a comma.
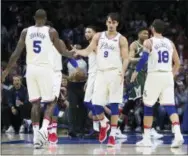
[[167, 100]]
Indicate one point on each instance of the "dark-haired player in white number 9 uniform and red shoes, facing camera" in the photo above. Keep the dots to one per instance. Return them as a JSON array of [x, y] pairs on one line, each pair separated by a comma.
[[111, 48]]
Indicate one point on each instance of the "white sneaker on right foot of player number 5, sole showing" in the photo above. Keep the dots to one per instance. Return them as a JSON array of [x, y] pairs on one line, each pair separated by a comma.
[[42, 137]]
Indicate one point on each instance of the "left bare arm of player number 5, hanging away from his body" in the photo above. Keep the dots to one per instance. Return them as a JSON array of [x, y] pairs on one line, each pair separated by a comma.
[[16, 54]]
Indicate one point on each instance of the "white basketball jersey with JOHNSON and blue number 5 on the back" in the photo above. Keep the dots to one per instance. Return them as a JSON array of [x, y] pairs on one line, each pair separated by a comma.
[[38, 46]]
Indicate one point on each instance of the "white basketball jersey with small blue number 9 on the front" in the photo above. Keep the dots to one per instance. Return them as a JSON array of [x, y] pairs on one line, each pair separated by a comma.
[[108, 52]]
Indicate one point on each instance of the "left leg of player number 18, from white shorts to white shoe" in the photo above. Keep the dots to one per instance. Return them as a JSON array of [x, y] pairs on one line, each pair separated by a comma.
[[151, 93]]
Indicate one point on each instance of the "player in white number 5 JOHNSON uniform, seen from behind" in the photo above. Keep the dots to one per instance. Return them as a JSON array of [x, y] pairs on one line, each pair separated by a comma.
[[39, 40]]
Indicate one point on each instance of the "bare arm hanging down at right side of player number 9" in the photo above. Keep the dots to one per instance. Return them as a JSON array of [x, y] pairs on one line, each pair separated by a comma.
[[124, 53]]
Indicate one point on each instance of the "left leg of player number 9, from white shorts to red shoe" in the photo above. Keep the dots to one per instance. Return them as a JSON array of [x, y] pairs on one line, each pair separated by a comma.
[[99, 99]]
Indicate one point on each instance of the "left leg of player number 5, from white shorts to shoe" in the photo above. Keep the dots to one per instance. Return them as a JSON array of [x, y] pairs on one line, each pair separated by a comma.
[[34, 98]]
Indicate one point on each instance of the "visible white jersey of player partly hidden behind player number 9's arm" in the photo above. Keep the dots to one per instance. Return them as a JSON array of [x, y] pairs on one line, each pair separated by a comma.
[[92, 61]]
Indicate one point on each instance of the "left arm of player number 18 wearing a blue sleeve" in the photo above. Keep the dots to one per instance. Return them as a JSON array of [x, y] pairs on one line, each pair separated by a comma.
[[140, 65]]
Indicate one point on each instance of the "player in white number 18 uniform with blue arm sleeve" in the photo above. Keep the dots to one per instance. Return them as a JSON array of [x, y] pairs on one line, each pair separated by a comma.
[[160, 53]]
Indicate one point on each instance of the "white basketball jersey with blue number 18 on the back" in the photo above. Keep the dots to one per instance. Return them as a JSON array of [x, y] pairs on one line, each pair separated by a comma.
[[160, 58]]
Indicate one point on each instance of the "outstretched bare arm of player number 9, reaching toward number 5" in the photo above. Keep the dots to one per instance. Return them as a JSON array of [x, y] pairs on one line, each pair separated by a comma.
[[92, 47]]
